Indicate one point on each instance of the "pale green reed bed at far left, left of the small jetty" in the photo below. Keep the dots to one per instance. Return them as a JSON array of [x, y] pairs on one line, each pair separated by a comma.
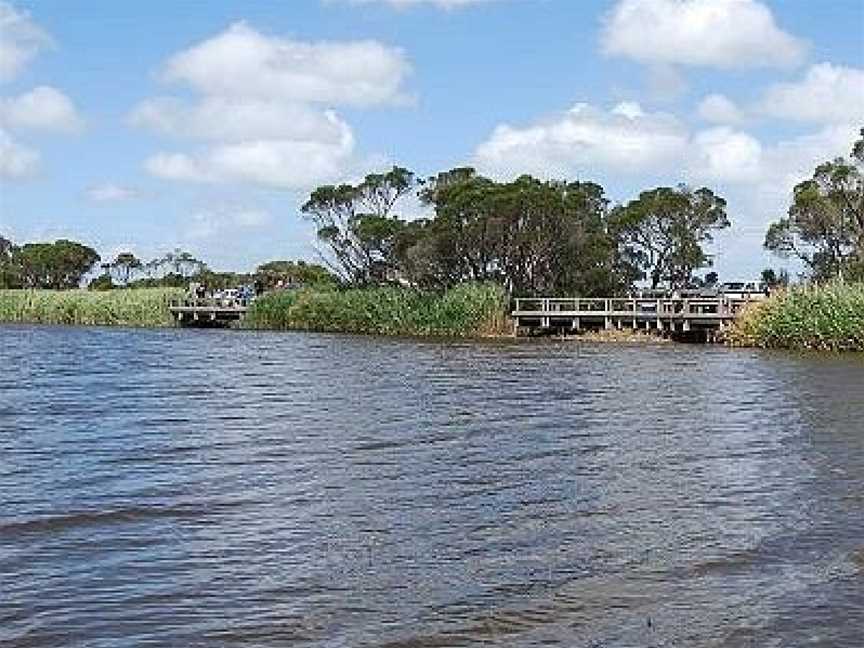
[[138, 307]]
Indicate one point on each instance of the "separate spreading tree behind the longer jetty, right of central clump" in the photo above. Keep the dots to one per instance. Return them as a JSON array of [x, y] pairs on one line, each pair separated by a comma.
[[664, 230]]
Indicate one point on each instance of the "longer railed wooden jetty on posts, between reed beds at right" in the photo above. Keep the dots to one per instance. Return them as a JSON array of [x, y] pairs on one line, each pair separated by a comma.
[[696, 318]]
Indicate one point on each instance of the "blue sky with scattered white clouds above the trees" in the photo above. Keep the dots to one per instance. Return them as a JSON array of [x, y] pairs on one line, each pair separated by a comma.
[[204, 124]]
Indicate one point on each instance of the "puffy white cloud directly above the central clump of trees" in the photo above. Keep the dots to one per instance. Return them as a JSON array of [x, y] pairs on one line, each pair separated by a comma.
[[583, 138]]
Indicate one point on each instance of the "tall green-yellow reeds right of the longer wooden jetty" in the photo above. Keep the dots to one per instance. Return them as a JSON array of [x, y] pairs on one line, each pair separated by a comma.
[[827, 318]]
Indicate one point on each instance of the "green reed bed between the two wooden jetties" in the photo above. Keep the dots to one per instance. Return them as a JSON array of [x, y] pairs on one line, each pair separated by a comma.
[[470, 310]]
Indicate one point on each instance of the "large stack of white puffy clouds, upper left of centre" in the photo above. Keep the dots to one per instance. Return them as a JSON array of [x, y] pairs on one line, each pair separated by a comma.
[[263, 107]]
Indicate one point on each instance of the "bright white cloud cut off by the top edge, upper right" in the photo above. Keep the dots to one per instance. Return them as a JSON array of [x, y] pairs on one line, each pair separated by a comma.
[[717, 33]]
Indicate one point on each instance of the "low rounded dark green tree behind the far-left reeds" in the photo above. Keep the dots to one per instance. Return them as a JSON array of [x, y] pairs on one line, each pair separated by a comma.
[[59, 265]]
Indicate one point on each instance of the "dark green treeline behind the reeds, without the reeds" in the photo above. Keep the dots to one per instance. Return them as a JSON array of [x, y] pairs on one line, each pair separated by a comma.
[[531, 236]]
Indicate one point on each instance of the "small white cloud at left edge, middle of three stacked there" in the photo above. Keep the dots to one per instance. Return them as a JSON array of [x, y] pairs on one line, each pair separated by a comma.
[[43, 108]]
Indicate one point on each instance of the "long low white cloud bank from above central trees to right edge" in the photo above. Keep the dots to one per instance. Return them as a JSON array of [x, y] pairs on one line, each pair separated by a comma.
[[588, 141]]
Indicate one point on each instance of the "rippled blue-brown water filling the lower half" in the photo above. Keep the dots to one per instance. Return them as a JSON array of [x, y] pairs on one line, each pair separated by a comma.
[[207, 488]]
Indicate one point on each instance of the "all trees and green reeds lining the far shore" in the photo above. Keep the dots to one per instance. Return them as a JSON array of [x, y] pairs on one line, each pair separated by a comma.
[[484, 242]]
